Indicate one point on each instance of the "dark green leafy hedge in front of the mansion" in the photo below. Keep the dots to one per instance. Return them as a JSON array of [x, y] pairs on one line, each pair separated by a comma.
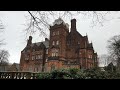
[[79, 74]]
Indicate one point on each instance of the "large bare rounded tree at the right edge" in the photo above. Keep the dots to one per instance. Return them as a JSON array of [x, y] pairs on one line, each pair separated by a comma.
[[114, 49]]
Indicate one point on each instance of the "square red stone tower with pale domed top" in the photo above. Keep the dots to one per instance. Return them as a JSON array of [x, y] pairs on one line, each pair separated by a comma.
[[57, 43]]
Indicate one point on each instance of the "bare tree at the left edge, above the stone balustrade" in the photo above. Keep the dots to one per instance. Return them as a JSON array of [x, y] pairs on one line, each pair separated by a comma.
[[4, 55]]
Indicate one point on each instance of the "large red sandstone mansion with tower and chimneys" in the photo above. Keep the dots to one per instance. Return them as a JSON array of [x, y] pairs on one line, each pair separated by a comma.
[[63, 49]]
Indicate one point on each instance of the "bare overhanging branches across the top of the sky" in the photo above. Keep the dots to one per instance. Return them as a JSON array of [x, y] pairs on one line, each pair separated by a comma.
[[41, 20]]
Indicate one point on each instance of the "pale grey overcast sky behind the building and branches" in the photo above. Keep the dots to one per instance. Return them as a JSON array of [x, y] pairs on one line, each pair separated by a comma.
[[15, 37]]
